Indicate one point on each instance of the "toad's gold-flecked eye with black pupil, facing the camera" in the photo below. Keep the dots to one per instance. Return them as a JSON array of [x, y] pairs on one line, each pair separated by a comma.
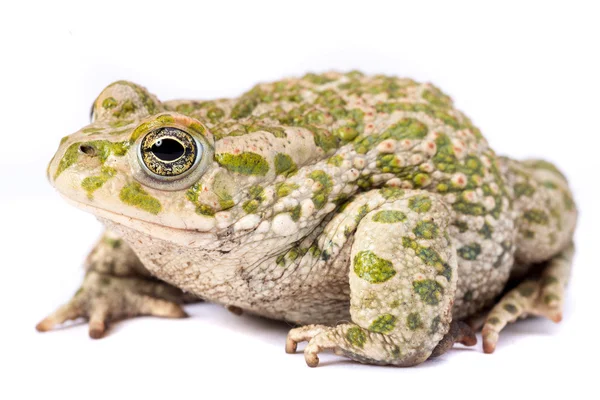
[[169, 153]]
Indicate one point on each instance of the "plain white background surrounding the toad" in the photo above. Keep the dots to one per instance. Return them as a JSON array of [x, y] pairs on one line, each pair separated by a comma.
[[526, 73]]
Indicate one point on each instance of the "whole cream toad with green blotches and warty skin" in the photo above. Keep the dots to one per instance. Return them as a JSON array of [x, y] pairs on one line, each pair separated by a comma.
[[334, 197]]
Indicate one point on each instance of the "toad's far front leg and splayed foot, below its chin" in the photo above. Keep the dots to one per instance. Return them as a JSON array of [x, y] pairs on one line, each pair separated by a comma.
[[103, 298]]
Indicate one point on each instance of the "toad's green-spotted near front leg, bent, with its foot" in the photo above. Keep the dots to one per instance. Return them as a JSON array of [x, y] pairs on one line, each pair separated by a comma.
[[403, 279]]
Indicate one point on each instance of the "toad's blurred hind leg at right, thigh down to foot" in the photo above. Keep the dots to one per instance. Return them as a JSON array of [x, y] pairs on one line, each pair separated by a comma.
[[546, 218]]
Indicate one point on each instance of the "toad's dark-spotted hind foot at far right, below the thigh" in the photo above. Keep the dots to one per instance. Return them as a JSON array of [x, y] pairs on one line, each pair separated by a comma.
[[542, 296]]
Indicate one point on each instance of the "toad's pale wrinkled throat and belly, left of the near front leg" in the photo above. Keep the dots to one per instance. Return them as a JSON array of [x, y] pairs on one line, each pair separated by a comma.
[[297, 294]]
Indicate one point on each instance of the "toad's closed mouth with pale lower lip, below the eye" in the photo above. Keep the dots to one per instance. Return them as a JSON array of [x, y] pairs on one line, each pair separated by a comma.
[[123, 224]]
